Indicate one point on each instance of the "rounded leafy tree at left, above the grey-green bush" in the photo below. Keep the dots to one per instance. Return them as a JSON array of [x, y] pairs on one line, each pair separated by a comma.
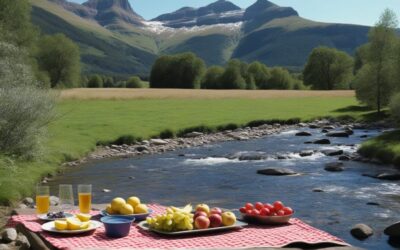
[[59, 56]]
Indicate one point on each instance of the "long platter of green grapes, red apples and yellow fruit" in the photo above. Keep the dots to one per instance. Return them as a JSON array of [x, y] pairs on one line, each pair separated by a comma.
[[181, 221]]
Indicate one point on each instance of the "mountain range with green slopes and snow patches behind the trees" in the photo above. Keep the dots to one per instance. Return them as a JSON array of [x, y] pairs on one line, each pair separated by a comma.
[[115, 40]]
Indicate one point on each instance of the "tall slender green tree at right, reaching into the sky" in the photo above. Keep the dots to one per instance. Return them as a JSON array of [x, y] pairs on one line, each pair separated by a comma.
[[375, 82]]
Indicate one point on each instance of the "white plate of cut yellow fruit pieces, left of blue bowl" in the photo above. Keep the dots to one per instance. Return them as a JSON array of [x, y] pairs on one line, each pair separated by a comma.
[[81, 223]]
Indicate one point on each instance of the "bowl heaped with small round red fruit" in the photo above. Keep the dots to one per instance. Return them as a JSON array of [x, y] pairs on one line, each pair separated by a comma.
[[266, 213]]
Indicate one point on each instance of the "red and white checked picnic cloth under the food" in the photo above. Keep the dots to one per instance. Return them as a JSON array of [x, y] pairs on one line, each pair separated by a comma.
[[248, 237]]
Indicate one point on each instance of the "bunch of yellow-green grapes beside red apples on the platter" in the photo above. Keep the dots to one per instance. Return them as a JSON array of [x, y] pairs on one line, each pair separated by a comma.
[[173, 220]]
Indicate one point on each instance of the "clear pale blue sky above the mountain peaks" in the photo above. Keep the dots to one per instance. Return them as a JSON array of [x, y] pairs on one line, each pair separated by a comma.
[[365, 12]]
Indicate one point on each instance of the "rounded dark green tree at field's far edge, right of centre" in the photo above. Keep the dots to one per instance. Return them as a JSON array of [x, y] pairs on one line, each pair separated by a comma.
[[328, 69]]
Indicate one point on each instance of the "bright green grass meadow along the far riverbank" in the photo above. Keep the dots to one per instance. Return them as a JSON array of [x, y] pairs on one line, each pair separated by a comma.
[[83, 123]]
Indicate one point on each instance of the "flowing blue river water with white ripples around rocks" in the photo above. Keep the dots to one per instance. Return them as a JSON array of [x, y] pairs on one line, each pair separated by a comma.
[[204, 174]]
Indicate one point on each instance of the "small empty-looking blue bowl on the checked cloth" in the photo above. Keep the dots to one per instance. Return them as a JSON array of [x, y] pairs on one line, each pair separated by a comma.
[[117, 227]]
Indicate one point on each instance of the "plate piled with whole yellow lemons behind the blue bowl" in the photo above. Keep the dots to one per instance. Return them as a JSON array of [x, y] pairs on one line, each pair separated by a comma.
[[131, 208]]
